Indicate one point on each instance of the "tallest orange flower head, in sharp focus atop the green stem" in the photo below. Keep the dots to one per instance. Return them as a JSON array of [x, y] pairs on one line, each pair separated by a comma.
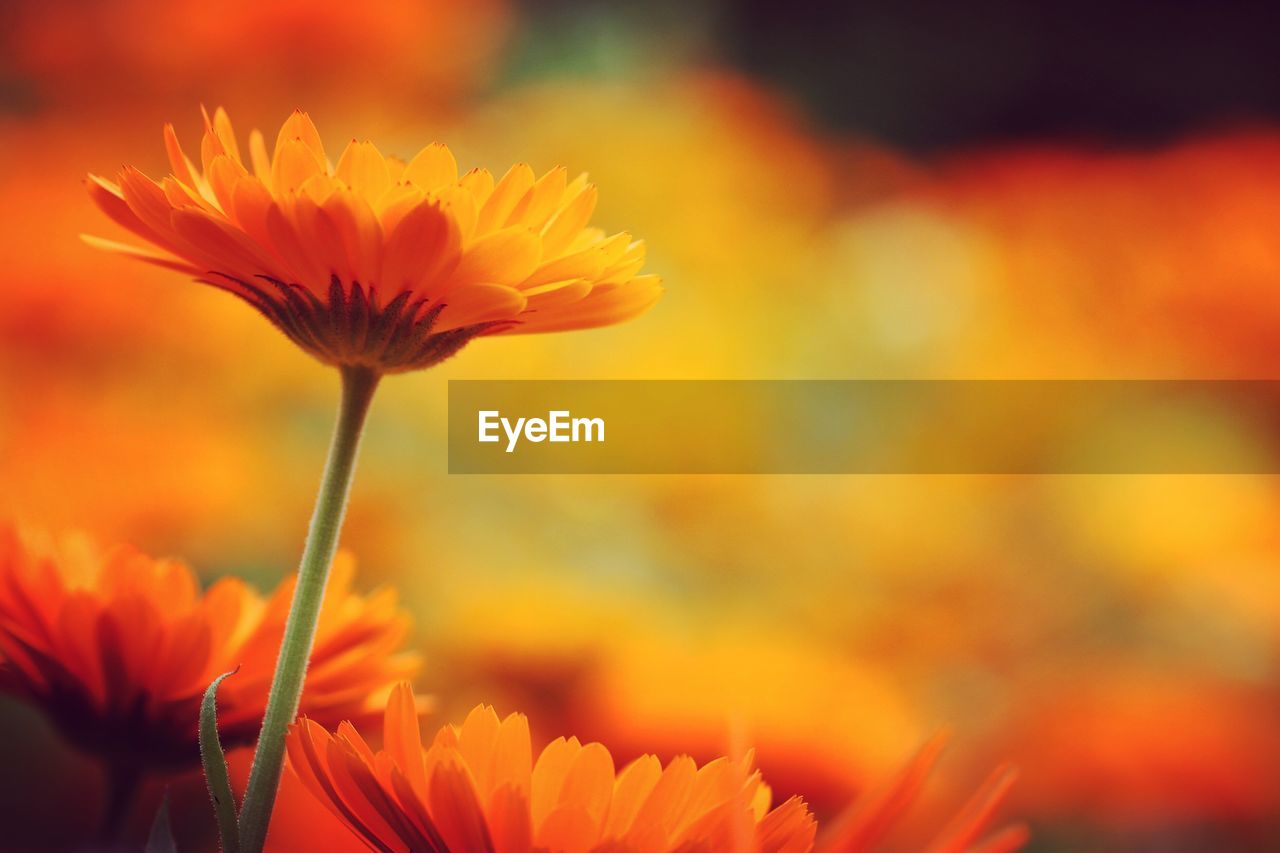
[[380, 263]]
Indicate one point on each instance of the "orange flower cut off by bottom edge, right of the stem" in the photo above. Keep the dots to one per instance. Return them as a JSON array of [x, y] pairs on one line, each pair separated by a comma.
[[478, 788]]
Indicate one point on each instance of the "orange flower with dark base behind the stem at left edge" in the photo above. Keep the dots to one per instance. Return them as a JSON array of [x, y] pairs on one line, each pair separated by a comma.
[[118, 647]]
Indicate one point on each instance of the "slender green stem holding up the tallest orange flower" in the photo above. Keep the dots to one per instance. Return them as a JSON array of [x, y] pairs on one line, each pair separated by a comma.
[[291, 668]]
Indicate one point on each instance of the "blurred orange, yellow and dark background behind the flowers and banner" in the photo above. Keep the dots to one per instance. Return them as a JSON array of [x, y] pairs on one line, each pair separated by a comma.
[[861, 190]]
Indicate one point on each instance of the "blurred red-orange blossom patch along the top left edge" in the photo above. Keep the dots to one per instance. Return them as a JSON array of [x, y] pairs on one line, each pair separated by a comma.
[[86, 53]]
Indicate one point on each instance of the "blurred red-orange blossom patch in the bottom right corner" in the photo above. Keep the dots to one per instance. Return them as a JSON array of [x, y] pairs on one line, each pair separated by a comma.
[[1149, 751]]
